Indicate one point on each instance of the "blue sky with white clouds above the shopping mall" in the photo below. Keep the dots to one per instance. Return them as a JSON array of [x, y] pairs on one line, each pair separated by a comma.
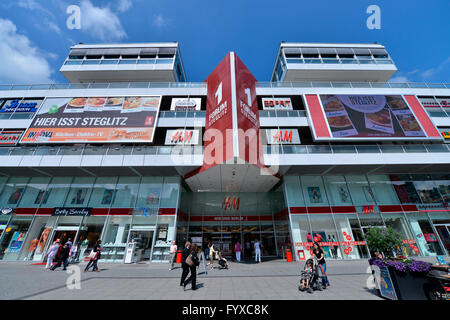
[[34, 39]]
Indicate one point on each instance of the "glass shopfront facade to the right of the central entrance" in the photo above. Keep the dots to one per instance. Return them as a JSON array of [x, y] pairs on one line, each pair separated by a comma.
[[339, 210]]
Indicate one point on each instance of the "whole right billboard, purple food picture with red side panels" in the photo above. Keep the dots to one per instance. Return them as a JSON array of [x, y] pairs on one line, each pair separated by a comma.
[[363, 117]]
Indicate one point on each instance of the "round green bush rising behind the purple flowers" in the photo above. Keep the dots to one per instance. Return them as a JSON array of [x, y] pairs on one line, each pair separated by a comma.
[[383, 240]]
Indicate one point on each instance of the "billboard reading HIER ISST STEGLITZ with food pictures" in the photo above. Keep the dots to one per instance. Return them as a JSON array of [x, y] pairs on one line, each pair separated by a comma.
[[94, 119]]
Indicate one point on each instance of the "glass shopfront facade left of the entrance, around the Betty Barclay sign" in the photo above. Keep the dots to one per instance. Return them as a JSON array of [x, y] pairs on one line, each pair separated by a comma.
[[119, 206]]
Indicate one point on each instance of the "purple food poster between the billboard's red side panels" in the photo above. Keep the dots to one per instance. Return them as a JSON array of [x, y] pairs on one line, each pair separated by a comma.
[[366, 116]]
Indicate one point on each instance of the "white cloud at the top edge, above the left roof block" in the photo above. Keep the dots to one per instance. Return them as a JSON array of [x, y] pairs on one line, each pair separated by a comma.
[[100, 22]]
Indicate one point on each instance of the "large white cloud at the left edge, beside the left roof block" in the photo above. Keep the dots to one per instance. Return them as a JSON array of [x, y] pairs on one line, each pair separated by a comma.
[[21, 62]]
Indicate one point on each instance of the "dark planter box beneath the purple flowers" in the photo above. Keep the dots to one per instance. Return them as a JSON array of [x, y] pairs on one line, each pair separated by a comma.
[[409, 285]]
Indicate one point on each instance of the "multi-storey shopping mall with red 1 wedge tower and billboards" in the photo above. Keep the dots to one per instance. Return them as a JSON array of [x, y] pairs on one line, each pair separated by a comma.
[[128, 150]]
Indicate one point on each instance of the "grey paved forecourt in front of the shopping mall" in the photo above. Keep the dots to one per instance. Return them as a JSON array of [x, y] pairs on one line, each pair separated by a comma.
[[246, 281]]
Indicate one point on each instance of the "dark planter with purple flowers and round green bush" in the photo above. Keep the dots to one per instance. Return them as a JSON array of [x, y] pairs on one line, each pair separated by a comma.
[[408, 276]]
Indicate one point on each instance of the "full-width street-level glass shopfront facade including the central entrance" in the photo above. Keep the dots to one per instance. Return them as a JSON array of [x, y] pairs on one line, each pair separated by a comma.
[[335, 210]]
